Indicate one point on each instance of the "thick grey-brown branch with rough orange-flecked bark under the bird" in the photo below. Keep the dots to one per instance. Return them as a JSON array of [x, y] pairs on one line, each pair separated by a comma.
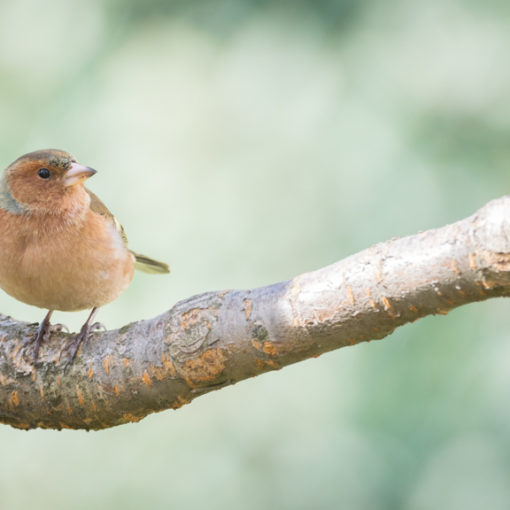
[[218, 338]]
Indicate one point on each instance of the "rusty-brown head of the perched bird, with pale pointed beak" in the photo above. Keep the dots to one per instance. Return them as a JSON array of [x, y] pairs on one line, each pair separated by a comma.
[[46, 180]]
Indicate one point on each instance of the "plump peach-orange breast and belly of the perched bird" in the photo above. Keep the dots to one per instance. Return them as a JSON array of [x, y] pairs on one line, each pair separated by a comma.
[[61, 265]]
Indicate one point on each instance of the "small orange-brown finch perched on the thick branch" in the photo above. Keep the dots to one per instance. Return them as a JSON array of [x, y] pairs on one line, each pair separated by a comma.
[[60, 246]]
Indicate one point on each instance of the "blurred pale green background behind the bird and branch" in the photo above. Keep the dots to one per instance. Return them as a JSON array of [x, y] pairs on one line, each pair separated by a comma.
[[245, 142]]
